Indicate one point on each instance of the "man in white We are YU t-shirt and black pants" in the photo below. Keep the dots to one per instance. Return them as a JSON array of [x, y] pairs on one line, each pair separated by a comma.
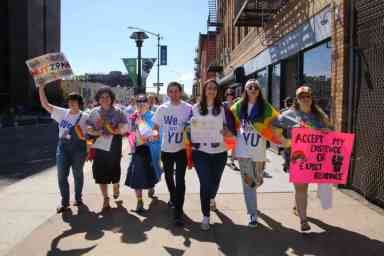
[[171, 119]]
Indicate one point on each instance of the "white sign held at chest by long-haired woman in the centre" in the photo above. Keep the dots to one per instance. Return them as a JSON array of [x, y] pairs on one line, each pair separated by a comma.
[[206, 129]]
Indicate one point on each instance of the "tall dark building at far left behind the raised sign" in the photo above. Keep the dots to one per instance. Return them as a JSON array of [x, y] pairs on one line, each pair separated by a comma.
[[29, 29]]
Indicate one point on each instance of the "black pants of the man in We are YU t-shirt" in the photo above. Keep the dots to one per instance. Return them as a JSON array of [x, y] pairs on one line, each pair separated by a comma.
[[177, 193]]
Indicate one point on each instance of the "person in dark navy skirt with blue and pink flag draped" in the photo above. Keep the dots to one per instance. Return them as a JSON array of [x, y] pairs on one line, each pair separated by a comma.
[[144, 170]]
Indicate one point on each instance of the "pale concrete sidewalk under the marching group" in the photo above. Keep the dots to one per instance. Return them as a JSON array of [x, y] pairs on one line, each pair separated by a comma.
[[30, 227]]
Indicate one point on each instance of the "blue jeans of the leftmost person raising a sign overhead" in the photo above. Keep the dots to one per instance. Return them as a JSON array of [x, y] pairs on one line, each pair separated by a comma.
[[69, 155]]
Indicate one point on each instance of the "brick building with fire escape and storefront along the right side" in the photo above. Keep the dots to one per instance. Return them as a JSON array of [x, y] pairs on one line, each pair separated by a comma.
[[335, 46]]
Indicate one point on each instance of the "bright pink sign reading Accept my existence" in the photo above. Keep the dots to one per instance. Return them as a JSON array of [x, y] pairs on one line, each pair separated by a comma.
[[320, 157]]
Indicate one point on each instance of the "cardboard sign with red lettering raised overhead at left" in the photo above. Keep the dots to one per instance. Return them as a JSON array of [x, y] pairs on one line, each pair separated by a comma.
[[49, 67]]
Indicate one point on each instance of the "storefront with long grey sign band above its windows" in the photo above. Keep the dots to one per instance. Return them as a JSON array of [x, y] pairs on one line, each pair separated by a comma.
[[302, 56]]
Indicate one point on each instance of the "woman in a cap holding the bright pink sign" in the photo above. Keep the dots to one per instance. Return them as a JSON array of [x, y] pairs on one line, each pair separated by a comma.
[[304, 114]]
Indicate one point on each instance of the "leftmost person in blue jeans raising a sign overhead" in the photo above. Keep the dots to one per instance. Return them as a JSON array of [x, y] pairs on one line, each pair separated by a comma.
[[71, 148]]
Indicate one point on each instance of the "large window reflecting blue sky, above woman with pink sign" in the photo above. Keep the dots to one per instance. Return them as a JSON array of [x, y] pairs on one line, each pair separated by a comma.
[[317, 73]]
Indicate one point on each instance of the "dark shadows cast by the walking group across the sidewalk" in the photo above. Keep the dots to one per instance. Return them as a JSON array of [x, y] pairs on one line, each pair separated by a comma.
[[231, 239]]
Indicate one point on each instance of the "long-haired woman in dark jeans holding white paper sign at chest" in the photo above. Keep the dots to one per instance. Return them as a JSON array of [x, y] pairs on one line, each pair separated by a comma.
[[209, 152]]
